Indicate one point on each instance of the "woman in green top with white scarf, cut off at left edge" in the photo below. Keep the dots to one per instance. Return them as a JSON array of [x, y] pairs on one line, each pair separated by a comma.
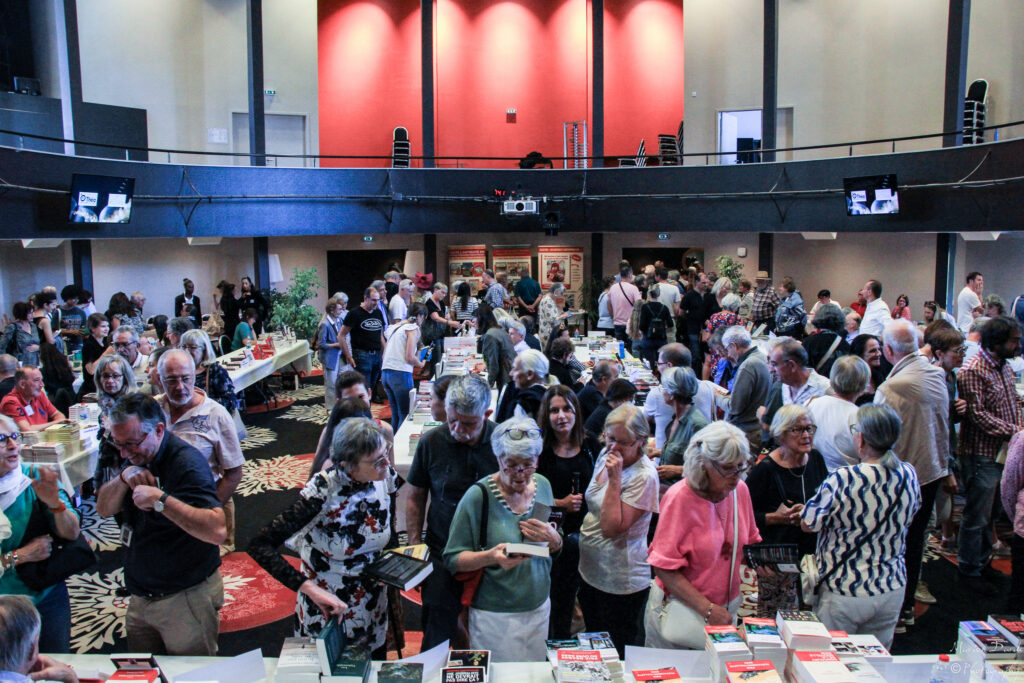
[[23, 490]]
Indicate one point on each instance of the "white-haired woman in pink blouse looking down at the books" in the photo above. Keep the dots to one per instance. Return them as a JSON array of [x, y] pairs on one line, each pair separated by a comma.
[[706, 521]]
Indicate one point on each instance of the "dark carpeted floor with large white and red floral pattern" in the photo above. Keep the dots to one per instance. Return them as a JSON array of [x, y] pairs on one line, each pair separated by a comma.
[[259, 611]]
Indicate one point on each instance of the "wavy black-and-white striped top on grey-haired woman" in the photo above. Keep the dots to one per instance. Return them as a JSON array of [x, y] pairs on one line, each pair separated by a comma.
[[868, 508]]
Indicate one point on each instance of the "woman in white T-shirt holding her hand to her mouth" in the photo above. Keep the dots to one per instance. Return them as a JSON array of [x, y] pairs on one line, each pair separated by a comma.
[[621, 499]]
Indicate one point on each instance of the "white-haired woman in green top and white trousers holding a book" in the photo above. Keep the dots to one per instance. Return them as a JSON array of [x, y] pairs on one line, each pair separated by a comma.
[[509, 611]]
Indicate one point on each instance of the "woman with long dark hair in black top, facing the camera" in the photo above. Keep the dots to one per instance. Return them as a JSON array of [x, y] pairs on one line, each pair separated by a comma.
[[568, 462]]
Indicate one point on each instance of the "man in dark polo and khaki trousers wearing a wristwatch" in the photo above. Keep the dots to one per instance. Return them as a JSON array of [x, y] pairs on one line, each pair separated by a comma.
[[174, 524]]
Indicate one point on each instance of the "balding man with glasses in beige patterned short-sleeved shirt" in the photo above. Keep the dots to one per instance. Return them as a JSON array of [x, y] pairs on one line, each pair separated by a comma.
[[204, 424]]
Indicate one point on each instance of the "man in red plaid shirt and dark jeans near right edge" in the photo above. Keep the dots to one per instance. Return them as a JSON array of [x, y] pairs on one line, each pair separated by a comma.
[[994, 416]]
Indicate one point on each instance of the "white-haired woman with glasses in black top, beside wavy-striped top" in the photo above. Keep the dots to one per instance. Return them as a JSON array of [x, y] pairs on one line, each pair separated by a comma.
[[780, 487]]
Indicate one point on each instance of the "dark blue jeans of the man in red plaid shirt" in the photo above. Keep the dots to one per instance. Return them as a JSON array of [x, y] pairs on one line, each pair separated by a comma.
[[982, 477]]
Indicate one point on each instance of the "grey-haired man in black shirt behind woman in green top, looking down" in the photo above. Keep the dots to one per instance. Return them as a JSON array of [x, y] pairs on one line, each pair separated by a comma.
[[448, 461]]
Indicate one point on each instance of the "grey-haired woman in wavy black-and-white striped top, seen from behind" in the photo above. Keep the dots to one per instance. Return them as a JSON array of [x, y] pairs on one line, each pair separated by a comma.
[[862, 515]]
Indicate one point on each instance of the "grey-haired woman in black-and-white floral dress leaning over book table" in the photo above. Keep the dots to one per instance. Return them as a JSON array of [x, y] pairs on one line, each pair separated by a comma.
[[345, 517]]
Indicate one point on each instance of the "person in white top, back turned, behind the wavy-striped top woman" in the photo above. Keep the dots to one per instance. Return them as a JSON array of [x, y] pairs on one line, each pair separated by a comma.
[[834, 414]]
